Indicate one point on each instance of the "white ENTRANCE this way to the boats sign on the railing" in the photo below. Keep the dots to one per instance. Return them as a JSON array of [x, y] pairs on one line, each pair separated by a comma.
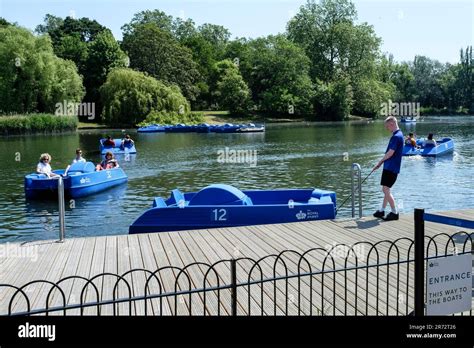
[[449, 285]]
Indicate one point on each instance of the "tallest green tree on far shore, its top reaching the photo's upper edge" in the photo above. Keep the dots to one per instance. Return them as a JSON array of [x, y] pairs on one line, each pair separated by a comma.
[[336, 47]]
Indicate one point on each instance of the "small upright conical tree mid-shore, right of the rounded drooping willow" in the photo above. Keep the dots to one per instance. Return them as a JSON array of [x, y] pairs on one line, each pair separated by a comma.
[[231, 92]]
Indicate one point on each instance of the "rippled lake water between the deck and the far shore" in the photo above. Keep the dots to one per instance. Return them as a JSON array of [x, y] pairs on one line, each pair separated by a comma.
[[295, 155]]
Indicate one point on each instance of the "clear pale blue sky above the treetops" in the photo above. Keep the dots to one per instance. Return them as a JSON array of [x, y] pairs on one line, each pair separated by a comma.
[[435, 28]]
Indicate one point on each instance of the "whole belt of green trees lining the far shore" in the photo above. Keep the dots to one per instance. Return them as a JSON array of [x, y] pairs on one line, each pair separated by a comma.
[[325, 66]]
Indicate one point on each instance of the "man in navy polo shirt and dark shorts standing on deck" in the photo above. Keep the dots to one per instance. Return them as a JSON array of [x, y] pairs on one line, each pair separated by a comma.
[[391, 167]]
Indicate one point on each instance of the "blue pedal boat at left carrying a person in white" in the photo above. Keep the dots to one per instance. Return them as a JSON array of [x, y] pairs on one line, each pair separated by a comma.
[[82, 180]]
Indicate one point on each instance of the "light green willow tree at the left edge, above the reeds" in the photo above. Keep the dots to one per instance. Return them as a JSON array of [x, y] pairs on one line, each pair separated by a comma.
[[32, 78]]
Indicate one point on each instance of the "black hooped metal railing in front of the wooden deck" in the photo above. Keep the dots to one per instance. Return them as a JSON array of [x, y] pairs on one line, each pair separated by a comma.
[[362, 279]]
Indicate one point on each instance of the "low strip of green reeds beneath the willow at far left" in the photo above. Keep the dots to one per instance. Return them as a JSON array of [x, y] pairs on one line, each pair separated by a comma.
[[36, 123]]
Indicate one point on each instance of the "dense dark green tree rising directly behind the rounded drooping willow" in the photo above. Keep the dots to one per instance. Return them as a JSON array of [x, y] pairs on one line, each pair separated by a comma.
[[156, 52]]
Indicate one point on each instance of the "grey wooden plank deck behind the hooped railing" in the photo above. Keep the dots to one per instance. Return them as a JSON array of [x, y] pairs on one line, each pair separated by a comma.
[[378, 290]]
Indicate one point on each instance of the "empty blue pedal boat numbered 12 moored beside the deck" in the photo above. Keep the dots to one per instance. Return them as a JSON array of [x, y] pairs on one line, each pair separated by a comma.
[[222, 205]]
